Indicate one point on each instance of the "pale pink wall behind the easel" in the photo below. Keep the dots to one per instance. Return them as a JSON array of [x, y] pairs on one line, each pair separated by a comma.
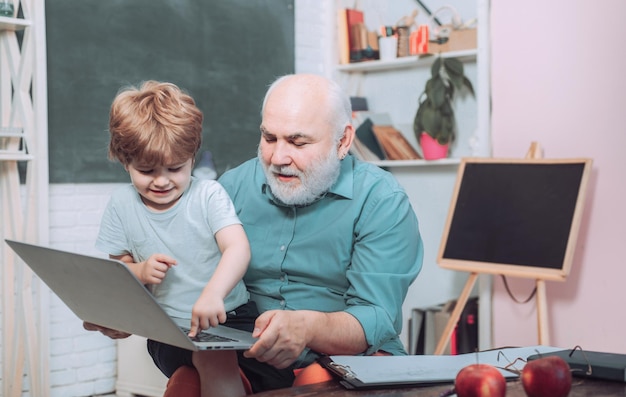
[[559, 78]]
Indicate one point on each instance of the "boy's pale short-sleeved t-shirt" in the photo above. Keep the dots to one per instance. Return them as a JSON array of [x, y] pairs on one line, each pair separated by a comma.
[[185, 232]]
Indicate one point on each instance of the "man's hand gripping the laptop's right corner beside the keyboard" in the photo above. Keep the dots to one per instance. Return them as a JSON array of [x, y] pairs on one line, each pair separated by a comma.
[[283, 335]]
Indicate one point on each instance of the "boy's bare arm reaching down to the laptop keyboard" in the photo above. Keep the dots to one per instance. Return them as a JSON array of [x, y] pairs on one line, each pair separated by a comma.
[[209, 308]]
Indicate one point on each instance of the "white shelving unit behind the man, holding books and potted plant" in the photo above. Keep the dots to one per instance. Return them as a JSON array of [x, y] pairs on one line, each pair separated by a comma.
[[394, 87]]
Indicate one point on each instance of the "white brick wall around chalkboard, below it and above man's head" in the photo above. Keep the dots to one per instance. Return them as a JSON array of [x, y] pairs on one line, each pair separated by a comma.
[[83, 363]]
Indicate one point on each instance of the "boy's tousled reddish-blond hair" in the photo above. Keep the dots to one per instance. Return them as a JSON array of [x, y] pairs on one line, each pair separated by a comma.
[[156, 123]]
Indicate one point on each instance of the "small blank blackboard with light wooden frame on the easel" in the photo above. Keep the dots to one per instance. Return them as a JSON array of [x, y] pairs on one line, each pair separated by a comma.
[[515, 217]]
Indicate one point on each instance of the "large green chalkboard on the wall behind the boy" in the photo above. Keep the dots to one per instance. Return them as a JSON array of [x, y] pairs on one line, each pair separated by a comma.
[[222, 52]]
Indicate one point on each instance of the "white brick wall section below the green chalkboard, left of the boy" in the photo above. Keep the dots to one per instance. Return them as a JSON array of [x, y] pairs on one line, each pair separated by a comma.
[[82, 363]]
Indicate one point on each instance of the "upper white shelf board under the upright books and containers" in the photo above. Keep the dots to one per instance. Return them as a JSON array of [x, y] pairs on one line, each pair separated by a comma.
[[404, 62]]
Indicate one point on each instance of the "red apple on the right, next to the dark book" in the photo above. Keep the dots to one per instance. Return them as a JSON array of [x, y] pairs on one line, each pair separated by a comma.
[[547, 377]]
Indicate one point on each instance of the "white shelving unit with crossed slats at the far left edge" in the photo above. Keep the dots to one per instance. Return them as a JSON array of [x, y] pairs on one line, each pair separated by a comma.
[[23, 197]]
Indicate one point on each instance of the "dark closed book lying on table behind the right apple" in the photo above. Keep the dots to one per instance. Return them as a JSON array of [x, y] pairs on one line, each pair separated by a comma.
[[609, 366]]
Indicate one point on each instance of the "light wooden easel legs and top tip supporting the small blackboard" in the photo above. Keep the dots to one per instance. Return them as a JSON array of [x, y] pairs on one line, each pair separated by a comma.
[[542, 309]]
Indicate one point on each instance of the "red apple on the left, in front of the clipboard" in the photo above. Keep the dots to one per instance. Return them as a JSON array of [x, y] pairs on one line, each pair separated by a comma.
[[480, 380]]
